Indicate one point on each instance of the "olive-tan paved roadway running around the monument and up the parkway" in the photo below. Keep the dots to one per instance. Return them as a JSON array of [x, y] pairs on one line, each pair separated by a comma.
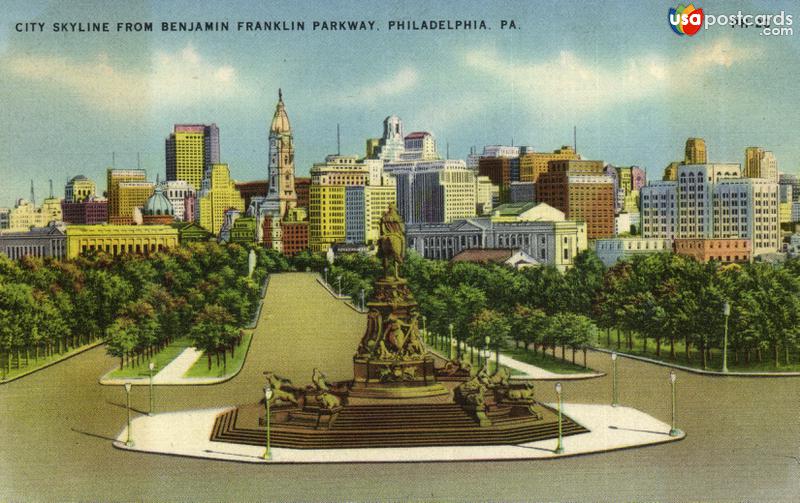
[[56, 425]]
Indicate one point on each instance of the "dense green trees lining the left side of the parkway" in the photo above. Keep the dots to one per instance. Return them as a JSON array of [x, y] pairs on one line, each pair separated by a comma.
[[137, 304]]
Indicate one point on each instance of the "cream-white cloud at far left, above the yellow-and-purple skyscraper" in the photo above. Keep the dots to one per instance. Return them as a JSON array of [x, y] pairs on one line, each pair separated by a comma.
[[178, 78]]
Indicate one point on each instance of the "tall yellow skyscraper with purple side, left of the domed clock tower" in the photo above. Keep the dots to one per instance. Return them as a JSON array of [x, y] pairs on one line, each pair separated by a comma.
[[191, 150]]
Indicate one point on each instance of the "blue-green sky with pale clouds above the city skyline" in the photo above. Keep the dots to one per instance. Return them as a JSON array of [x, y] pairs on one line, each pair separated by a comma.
[[615, 70]]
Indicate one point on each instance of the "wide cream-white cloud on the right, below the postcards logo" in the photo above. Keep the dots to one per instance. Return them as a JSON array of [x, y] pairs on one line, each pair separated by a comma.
[[568, 83]]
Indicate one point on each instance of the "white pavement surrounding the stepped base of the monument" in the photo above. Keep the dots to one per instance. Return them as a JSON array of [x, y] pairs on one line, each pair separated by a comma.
[[187, 434]]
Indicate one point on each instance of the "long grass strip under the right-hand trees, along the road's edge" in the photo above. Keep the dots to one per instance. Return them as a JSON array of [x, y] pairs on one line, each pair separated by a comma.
[[695, 361]]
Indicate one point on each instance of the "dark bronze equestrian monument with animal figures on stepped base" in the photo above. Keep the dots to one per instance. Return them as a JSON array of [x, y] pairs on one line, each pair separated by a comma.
[[401, 395]]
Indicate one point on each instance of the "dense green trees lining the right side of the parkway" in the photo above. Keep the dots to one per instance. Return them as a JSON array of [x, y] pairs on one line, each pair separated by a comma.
[[664, 305]]
